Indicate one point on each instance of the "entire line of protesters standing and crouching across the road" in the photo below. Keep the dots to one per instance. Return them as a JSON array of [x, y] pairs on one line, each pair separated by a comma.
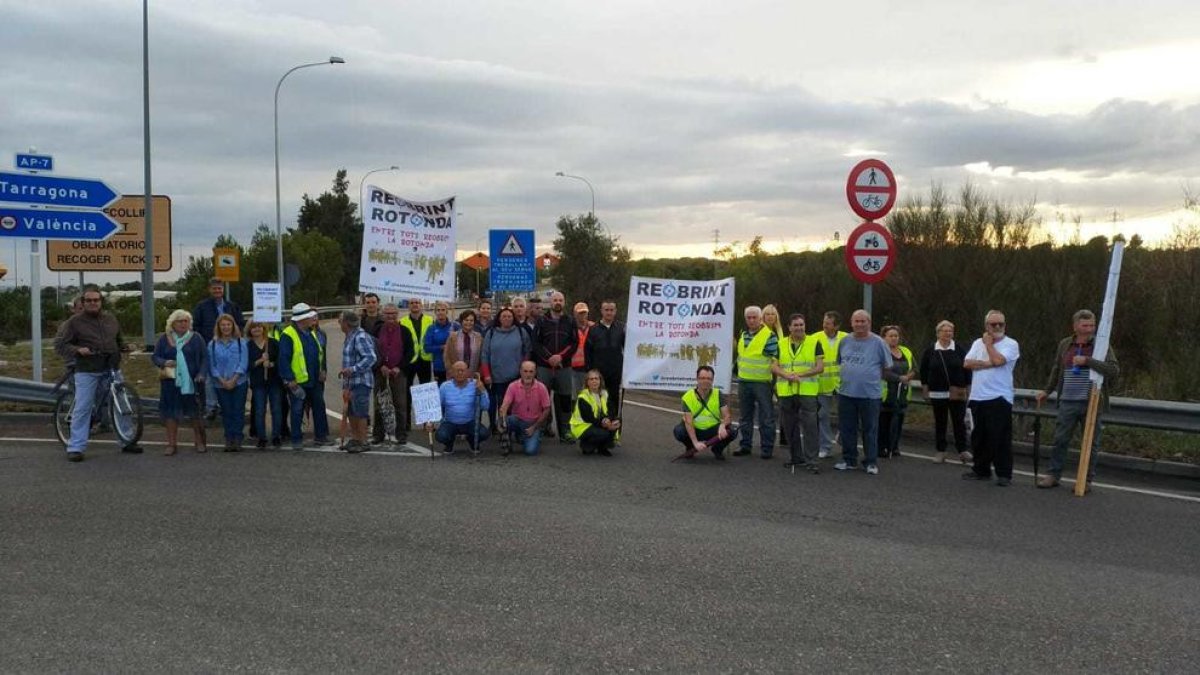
[[536, 373]]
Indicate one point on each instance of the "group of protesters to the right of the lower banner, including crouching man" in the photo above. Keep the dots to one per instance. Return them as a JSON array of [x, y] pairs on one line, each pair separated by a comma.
[[867, 380]]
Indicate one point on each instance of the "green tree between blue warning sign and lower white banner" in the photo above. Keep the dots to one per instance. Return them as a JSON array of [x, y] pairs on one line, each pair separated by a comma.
[[592, 267]]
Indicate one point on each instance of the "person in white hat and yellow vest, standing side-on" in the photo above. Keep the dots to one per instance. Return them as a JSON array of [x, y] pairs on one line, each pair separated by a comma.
[[303, 371]]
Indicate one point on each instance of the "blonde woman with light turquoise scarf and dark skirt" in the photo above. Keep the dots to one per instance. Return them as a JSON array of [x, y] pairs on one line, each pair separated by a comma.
[[183, 363]]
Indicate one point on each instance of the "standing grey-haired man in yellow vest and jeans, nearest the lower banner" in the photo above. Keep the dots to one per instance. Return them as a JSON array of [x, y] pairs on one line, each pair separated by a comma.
[[757, 348]]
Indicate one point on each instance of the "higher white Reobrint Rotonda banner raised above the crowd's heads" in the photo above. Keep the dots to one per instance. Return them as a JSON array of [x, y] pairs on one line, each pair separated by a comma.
[[409, 248]]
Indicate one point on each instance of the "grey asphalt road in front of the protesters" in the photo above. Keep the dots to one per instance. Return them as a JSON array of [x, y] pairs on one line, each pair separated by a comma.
[[315, 561]]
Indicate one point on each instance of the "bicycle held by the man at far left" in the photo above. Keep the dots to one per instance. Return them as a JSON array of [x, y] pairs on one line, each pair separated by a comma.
[[117, 408]]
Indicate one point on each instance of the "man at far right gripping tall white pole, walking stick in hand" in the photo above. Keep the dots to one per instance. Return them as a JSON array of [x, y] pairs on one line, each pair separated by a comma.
[[1071, 380]]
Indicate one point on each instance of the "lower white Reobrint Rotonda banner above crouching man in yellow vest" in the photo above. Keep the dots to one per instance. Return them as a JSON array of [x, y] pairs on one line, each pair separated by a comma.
[[674, 328]]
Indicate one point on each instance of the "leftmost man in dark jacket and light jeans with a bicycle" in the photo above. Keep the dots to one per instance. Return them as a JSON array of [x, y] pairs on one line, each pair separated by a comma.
[[93, 341]]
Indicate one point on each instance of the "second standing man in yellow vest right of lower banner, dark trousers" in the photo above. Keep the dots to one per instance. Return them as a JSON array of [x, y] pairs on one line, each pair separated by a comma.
[[797, 369]]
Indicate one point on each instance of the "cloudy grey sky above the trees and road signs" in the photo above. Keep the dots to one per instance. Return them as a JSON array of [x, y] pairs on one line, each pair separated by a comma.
[[688, 117]]
